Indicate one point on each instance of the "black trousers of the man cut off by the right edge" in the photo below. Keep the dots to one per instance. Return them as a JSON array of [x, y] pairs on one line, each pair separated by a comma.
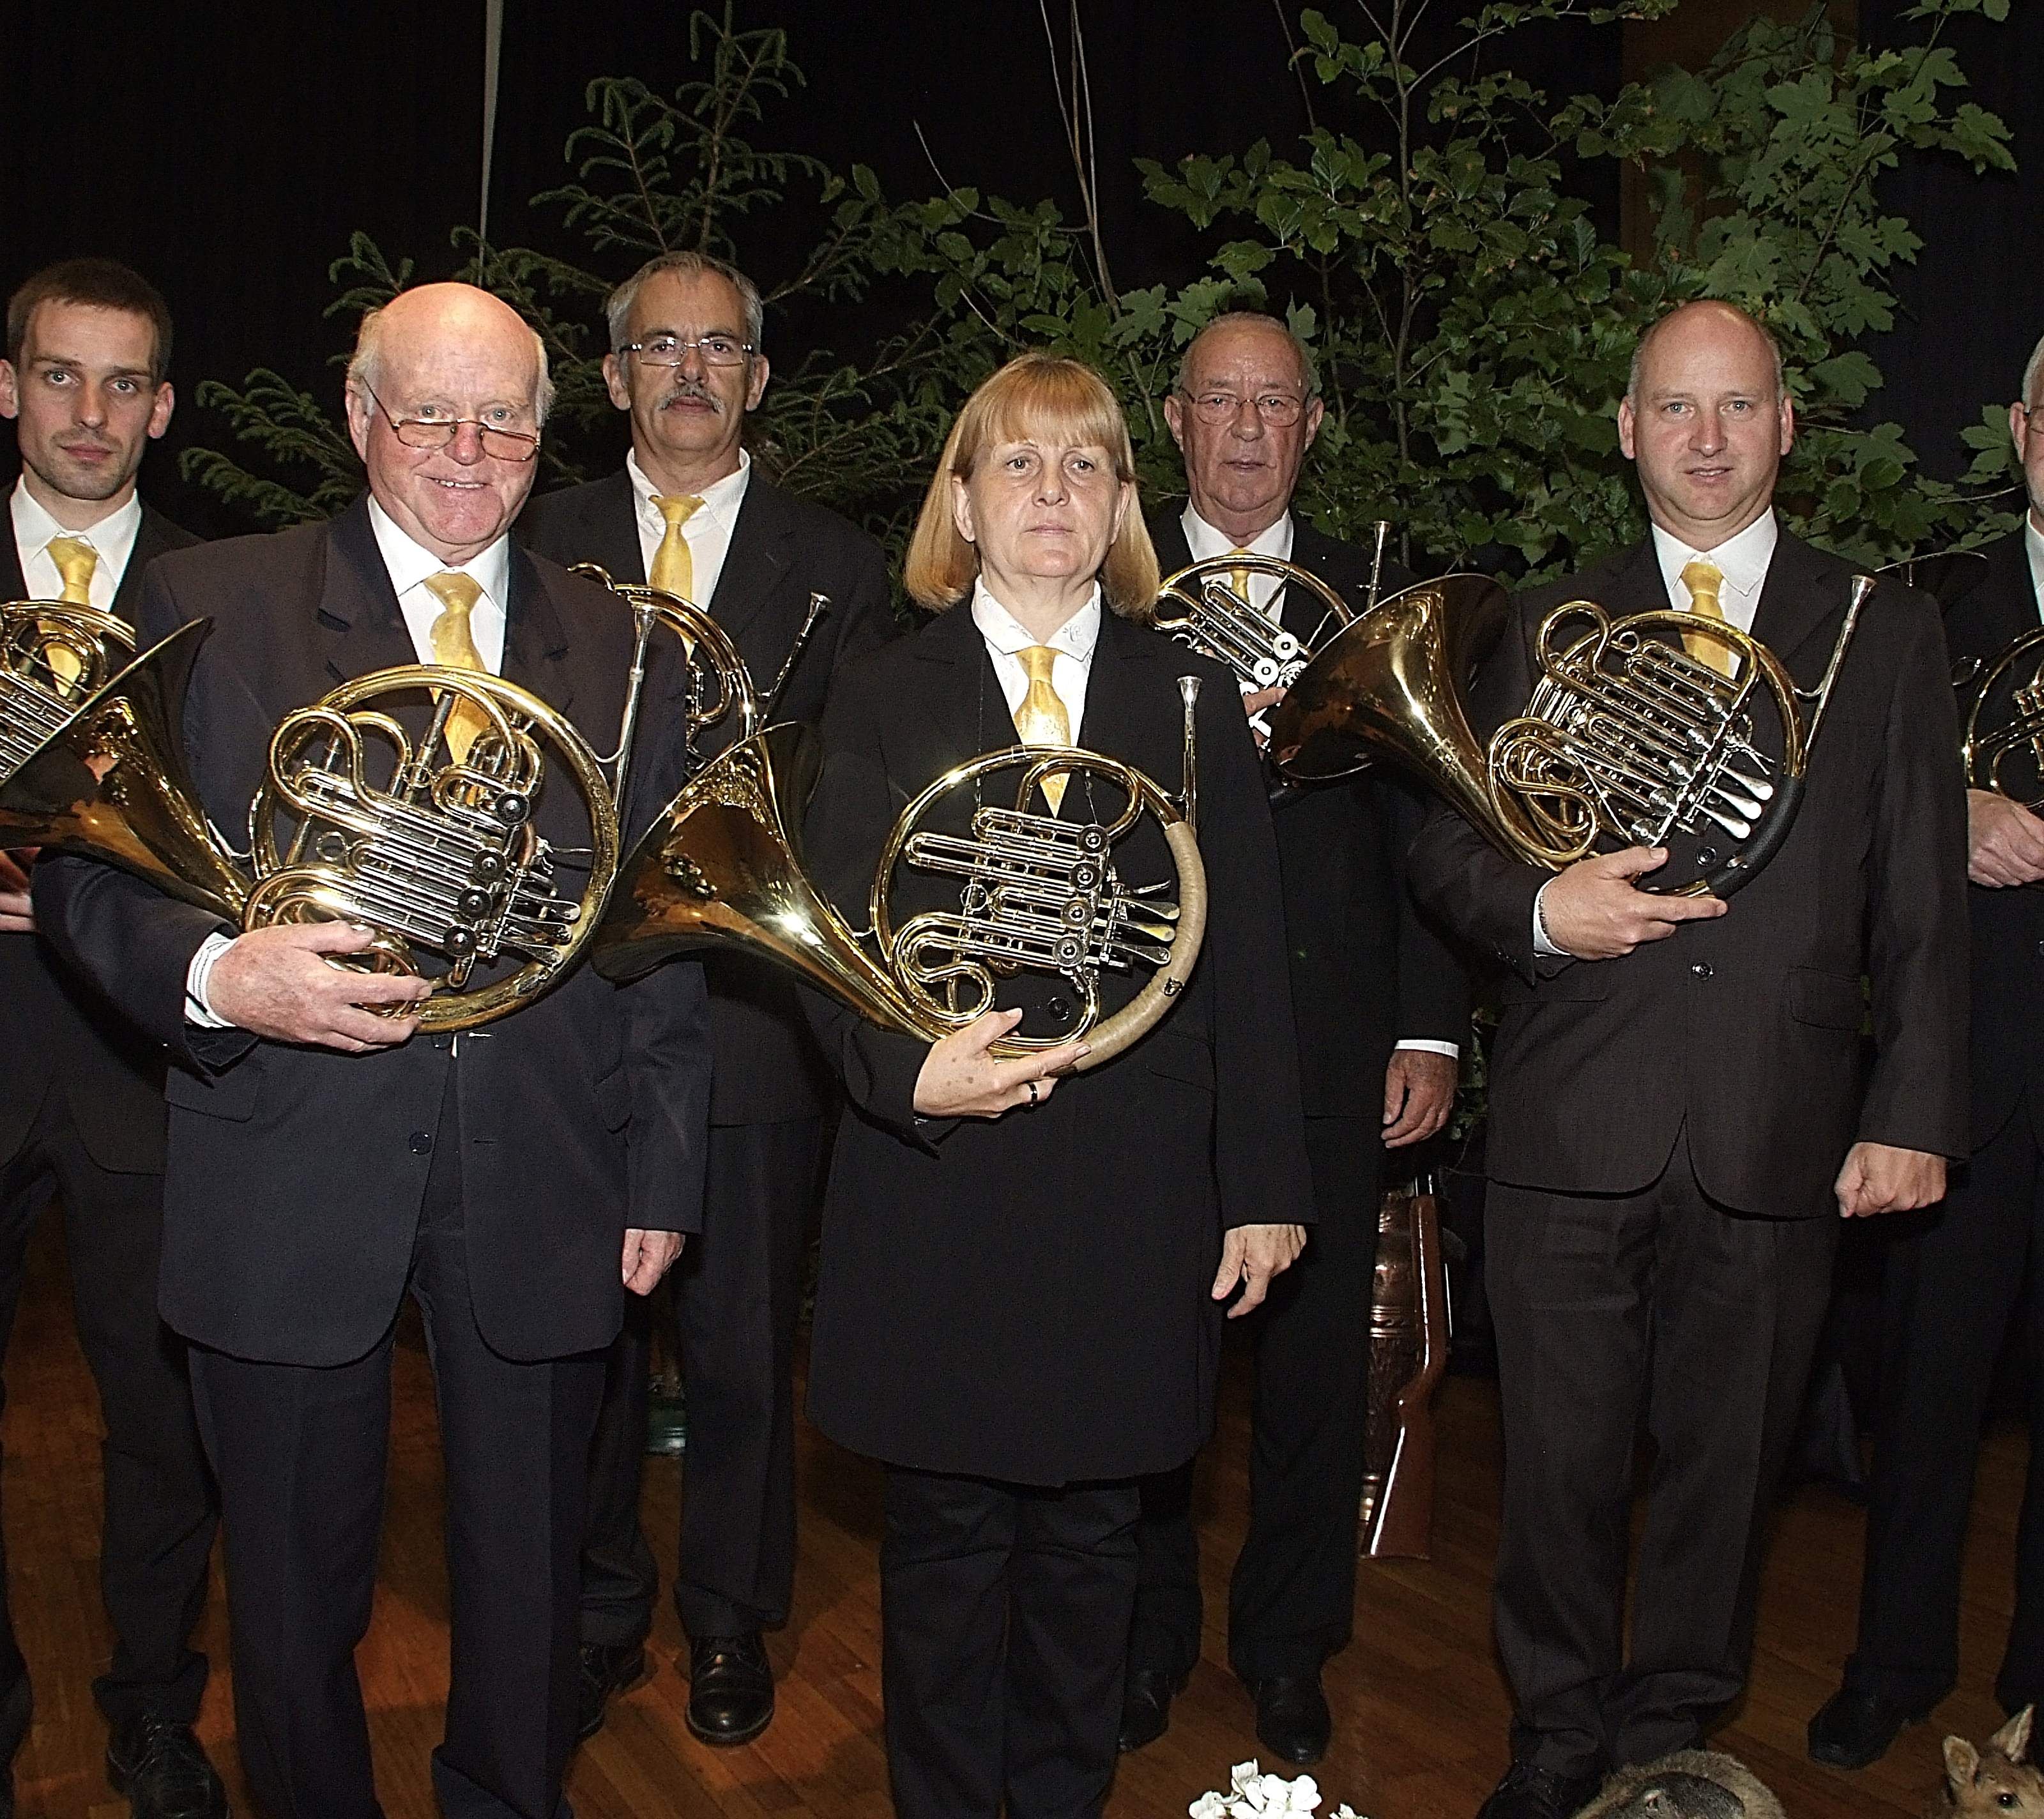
[[1955, 1276]]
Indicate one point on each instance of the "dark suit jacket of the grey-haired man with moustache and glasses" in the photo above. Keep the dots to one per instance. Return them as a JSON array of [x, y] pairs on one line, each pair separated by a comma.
[[782, 551]]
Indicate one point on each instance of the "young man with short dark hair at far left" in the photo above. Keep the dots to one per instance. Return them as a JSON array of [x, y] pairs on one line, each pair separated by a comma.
[[81, 1092]]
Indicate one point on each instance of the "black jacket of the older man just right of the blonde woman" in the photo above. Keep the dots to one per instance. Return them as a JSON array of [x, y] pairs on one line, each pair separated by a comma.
[[1366, 968]]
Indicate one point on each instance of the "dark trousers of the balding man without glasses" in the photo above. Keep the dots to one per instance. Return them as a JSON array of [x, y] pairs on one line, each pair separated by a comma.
[[1614, 1311]]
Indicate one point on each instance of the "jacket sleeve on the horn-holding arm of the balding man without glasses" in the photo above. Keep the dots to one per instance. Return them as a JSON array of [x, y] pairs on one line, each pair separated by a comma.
[[1458, 878]]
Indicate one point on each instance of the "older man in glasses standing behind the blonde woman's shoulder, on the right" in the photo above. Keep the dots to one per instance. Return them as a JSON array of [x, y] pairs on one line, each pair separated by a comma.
[[1381, 1013]]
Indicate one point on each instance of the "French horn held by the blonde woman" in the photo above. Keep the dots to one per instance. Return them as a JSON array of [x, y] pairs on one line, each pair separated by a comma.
[[725, 868]]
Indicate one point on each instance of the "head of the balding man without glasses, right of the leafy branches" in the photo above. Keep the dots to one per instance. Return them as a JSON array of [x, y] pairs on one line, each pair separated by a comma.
[[1708, 422]]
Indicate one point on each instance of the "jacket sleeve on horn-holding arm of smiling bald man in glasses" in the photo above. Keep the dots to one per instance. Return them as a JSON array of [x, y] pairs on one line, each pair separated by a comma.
[[128, 937]]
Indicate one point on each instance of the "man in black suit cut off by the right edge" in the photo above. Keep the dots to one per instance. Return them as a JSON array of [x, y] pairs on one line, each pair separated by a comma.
[[1957, 1274]]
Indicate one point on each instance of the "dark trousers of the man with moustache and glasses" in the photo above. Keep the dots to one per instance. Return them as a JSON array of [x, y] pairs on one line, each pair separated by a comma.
[[737, 1293]]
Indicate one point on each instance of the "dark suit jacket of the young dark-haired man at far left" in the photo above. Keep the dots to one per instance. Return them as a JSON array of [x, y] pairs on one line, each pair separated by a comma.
[[62, 1031]]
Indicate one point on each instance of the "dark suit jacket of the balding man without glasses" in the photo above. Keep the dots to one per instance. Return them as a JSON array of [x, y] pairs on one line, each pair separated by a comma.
[[1747, 1029]]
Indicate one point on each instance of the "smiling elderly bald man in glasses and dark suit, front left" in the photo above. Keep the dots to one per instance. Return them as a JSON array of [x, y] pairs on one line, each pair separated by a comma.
[[326, 1158]]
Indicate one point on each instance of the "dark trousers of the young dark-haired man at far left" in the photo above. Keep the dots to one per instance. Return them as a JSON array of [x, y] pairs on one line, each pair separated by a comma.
[[160, 1503]]
